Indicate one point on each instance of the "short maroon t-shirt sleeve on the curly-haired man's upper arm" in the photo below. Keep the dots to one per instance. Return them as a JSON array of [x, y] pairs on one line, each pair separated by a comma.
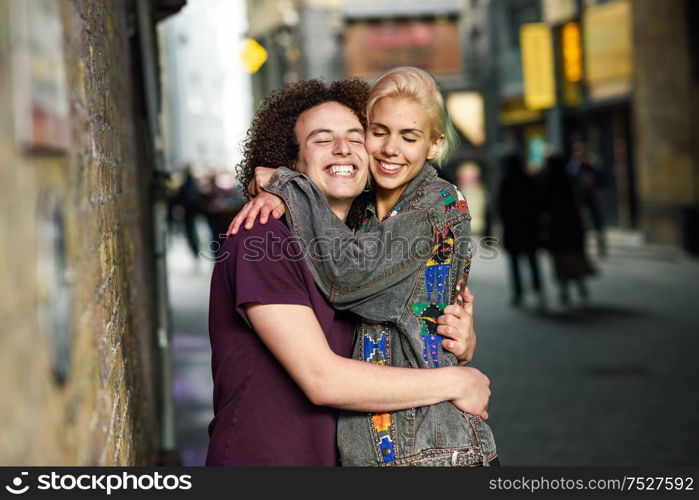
[[265, 267]]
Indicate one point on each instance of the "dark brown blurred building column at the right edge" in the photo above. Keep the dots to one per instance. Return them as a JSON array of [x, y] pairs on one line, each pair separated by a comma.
[[666, 119]]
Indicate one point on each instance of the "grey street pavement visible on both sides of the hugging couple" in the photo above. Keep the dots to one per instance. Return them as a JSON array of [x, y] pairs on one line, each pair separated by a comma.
[[614, 381]]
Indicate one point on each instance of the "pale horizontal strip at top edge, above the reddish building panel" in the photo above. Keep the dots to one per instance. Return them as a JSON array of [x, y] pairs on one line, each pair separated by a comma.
[[406, 8]]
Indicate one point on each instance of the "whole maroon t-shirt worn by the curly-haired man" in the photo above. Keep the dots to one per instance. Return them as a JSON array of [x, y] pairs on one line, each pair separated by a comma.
[[261, 417]]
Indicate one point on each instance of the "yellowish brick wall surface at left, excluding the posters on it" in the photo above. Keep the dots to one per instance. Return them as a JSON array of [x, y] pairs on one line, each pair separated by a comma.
[[105, 411]]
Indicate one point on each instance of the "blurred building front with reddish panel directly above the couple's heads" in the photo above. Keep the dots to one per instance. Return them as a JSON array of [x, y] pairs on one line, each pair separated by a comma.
[[333, 39]]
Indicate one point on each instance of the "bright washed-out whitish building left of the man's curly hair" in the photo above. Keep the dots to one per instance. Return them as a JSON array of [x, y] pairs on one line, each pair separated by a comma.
[[206, 93]]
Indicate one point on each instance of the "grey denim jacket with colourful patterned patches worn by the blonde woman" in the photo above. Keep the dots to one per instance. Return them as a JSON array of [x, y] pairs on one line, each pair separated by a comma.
[[398, 275]]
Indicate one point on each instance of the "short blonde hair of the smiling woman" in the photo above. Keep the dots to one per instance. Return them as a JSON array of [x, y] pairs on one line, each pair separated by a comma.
[[417, 84]]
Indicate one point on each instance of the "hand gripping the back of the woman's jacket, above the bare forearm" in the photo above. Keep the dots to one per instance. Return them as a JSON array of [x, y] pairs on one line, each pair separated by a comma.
[[456, 326]]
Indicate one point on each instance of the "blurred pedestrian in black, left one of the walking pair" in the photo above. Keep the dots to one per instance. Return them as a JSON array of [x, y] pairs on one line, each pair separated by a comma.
[[519, 207]]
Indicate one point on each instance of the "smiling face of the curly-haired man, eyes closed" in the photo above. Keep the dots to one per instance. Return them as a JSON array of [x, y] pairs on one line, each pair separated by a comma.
[[331, 151]]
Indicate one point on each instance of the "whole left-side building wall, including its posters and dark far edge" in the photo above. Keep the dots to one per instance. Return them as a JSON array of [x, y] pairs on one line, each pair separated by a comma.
[[78, 361]]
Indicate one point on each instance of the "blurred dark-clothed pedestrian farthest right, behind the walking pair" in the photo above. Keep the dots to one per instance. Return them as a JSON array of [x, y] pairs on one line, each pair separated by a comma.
[[589, 179]]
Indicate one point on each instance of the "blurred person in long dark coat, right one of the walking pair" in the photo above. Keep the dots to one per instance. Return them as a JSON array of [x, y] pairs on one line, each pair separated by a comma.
[[564, 231]]
